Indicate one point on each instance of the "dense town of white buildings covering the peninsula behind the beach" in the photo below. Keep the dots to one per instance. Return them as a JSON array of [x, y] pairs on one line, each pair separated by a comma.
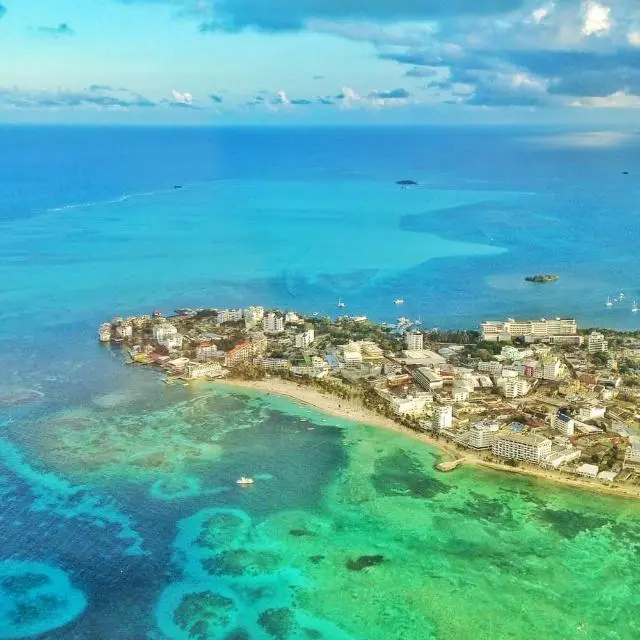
[[522, 393]]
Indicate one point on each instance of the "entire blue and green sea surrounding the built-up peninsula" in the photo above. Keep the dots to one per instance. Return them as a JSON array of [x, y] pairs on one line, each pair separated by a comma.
[[119, 512]]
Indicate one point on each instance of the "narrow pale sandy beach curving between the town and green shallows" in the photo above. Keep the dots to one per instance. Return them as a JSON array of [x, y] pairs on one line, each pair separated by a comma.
[[445, 450]]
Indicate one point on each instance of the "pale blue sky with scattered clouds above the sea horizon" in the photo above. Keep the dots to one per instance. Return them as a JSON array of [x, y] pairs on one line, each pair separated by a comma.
[[320, 61]]
